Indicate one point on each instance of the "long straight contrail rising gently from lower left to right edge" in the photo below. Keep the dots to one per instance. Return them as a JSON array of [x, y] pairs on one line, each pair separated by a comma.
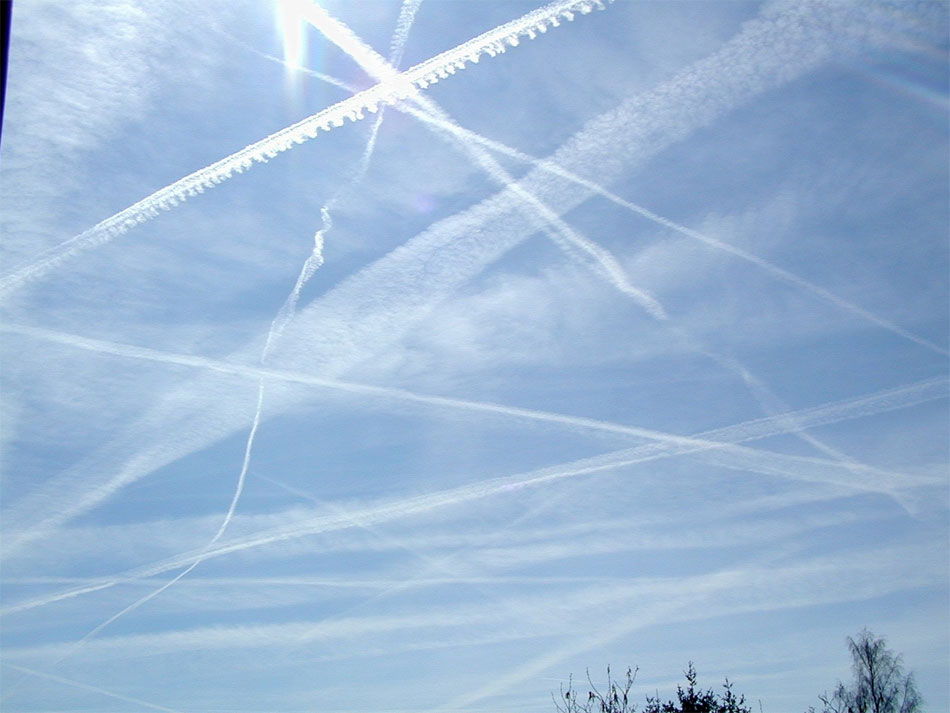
[[718, 439]]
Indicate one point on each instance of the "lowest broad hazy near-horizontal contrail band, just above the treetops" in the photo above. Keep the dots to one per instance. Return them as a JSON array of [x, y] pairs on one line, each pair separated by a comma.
[[752, 586]]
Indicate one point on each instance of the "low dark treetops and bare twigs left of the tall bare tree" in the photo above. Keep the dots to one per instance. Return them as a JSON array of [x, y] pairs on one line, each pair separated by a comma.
[[616, 698]]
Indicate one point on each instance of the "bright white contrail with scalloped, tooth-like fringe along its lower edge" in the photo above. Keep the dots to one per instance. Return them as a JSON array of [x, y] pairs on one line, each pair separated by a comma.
[[389, 92]]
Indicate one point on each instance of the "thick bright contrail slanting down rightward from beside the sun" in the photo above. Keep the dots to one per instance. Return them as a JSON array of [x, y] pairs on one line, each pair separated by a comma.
[[563, 235]]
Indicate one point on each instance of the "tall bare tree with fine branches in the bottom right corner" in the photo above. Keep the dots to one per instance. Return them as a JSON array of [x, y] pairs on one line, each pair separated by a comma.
[[880, 685]]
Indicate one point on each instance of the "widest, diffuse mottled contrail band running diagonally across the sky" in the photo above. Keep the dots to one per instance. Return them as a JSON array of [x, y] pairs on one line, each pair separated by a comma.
[[368, 311]]
